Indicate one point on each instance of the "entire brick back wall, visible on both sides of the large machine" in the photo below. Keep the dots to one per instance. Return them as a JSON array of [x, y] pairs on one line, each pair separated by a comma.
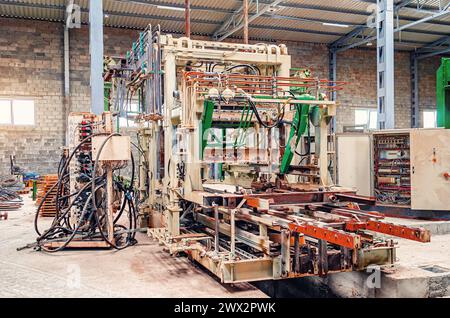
[[31, 65]]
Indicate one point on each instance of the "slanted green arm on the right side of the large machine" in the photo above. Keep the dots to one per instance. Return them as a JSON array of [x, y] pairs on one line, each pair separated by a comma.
[[298, 128]]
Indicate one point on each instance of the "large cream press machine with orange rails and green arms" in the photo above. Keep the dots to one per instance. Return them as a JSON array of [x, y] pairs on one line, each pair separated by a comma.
[[229, 174]]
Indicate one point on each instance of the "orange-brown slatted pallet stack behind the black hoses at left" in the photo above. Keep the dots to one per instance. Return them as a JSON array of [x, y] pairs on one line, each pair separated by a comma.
[[44, 185]]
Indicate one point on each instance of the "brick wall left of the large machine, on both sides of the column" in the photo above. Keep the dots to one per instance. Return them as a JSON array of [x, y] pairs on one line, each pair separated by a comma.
[[32, 67]]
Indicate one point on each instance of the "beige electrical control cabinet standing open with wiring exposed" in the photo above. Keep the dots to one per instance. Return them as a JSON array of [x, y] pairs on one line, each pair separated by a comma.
[[409, 167]]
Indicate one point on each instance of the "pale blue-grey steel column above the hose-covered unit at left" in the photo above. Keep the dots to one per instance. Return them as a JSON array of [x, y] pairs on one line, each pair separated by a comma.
[[96, 52]]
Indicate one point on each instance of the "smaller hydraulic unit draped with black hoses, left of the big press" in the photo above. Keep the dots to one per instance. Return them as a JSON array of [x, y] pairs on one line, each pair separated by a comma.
[[95, 204]]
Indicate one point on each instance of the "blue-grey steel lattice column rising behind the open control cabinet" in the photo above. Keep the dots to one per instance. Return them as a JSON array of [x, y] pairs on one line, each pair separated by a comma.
[[385, 64]]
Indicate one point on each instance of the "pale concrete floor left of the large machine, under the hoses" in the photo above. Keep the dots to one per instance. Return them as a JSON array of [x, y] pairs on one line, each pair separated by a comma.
[[144, 270]]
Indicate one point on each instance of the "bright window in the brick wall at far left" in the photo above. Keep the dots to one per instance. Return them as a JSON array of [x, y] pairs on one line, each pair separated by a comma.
[[17, 112]]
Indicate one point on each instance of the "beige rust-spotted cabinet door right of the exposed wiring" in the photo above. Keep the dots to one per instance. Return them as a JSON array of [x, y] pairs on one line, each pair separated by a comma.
[[430, 166]]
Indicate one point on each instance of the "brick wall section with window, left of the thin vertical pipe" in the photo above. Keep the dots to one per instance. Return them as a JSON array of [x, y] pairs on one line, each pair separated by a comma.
[[31, 66]]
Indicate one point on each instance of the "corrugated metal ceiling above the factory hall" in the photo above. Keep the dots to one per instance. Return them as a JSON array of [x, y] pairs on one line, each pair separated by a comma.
[[293, 20]]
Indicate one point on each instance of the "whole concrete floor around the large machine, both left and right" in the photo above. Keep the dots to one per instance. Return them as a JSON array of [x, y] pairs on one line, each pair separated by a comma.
[[146, 270]]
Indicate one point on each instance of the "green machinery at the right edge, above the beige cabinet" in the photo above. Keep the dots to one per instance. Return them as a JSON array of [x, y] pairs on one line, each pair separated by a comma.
[[443, 94]]
